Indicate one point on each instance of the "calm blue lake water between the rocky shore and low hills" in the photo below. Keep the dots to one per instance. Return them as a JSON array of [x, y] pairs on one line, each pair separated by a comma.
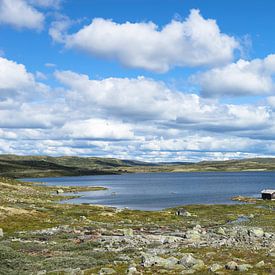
[[162, 190]]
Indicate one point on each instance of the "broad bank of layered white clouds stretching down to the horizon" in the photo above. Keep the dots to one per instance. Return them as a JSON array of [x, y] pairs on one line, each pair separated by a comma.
[[125, 117]]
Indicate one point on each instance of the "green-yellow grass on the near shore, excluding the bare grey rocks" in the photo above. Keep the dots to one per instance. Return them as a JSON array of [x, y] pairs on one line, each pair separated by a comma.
[[27, 207]]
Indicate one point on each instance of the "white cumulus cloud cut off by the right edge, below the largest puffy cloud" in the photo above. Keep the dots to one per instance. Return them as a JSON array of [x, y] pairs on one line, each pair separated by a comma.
[[242, 78]]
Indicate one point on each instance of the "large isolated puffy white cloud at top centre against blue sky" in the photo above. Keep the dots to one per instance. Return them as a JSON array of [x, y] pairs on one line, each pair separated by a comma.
[[193, 42]]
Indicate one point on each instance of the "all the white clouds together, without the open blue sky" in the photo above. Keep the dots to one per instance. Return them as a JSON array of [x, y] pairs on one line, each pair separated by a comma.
[[137, 117]]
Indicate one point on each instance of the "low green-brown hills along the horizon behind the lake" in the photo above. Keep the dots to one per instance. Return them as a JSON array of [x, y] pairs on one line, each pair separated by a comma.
[[45, 166]]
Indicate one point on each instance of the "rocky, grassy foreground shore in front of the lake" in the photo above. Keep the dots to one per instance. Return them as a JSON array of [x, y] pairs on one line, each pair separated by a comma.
[[40, 236]]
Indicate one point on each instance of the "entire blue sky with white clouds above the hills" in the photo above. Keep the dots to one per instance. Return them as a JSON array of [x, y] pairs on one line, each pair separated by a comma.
[[170, 80]]
